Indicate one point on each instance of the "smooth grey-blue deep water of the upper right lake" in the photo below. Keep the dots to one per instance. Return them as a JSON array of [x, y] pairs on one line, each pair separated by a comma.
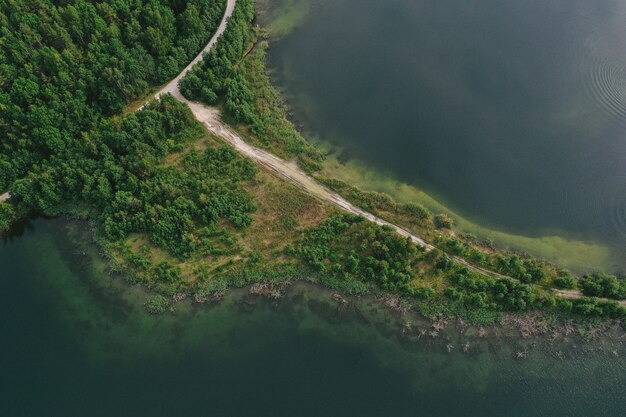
[[511, 112]]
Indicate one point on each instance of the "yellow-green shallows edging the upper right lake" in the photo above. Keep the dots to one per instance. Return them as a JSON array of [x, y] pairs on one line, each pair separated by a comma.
[[556, 246]]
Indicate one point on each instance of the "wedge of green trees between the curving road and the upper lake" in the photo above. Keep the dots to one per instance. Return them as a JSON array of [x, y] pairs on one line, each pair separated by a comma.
[[233, 75]]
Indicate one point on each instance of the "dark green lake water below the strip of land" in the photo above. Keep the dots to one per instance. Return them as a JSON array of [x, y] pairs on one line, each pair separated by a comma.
[[76, 342]]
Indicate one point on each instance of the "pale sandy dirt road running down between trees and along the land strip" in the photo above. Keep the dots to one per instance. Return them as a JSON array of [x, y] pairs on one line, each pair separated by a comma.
[[290, 171]]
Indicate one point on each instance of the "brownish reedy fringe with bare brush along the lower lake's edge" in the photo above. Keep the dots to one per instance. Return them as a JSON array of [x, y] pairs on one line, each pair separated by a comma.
[[406, 324]]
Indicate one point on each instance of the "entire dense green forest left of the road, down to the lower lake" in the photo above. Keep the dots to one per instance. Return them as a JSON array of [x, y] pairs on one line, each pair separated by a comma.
[[67, 71]]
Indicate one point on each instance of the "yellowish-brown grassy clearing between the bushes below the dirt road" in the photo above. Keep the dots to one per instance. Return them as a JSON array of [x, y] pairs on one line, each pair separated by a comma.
[[282, 213]]
